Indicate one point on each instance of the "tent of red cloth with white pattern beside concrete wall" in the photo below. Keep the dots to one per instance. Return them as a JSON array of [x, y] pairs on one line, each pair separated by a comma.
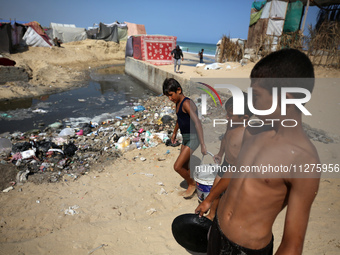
[[154, 49]]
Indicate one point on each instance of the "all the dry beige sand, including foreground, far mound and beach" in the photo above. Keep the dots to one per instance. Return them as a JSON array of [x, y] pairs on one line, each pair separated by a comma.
[[122, 208]]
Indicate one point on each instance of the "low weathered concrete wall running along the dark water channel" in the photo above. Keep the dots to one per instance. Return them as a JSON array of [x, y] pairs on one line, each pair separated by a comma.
[[151, 75]]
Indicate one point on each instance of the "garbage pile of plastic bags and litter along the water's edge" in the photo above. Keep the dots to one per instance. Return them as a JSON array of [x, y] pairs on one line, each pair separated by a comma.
[[65, 153]]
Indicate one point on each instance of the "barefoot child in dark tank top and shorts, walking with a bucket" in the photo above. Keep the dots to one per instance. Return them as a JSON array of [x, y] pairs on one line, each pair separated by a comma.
[[191, 129]]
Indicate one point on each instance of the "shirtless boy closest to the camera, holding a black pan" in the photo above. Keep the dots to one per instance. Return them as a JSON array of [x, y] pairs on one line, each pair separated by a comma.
[[252, 201]]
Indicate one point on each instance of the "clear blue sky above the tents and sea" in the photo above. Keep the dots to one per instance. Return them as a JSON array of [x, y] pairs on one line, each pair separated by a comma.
[[189, 20]]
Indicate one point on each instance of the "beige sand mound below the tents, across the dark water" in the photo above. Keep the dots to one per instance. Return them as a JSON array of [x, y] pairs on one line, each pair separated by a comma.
[[61, 68]]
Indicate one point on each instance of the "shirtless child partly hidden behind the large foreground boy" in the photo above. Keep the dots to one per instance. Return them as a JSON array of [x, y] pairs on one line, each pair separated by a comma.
[[230, 147]]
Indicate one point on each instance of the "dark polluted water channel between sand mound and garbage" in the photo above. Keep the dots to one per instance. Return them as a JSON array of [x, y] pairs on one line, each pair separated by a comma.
[[108, 94]]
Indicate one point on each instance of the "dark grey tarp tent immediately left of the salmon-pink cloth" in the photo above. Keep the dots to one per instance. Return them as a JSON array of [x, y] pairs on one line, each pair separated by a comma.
[[112, 32]]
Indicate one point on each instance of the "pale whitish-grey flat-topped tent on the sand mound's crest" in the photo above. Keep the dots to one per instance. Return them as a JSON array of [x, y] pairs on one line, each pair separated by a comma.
[[67, 32]]
